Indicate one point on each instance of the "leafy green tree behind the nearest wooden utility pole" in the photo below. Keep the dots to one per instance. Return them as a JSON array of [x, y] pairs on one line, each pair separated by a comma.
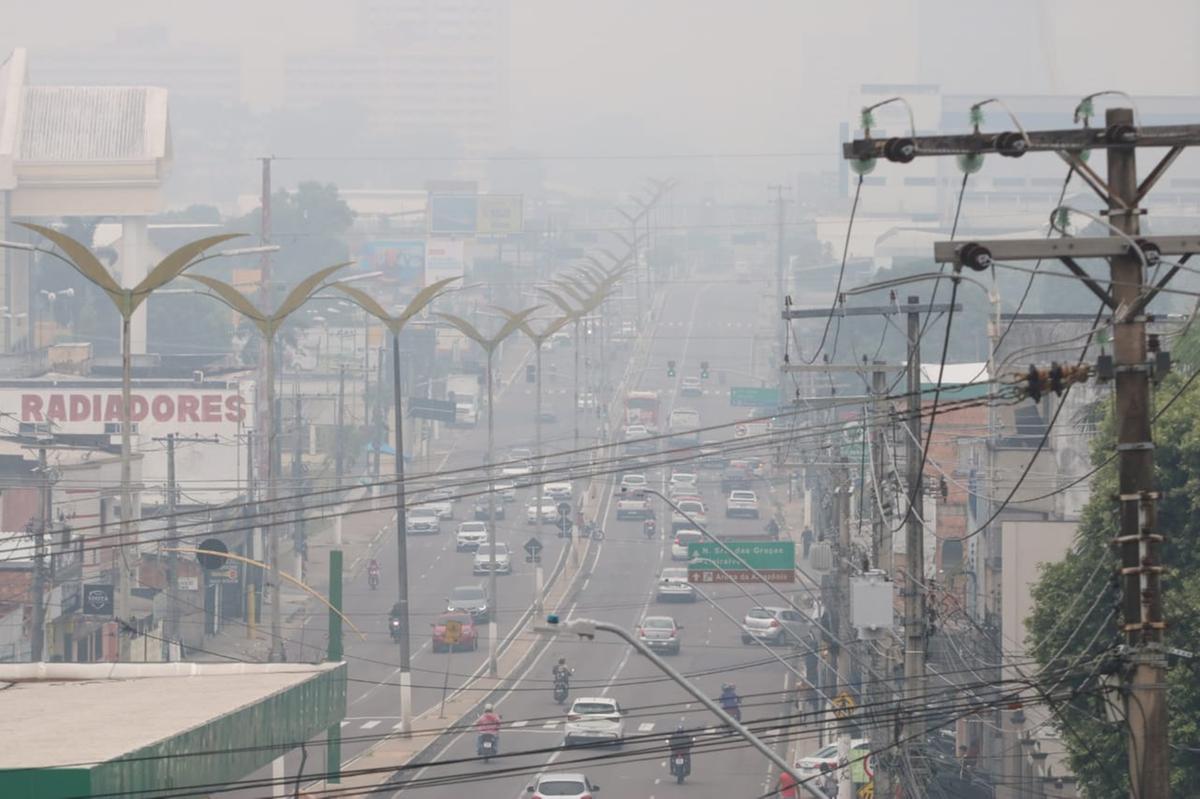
[[1066, 629]]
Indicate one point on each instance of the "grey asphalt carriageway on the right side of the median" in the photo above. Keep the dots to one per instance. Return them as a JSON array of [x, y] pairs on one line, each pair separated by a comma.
[[621, 590]]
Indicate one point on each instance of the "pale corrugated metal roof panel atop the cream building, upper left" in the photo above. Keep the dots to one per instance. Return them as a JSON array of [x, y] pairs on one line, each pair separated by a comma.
[[74, 124]]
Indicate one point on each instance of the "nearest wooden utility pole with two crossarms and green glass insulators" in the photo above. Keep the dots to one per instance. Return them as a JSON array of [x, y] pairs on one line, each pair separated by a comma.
[[1139, 543]]
